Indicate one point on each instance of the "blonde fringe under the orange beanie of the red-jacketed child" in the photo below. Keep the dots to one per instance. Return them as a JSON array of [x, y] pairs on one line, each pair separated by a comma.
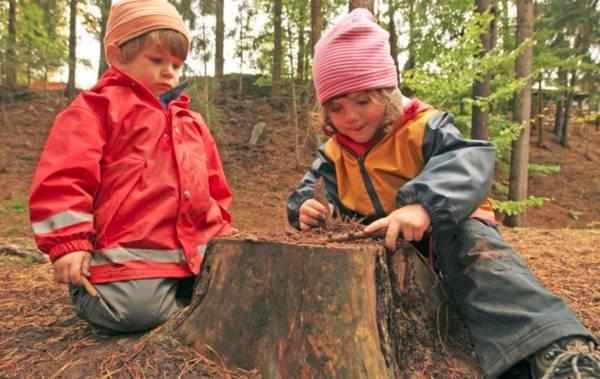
[[174, 41]]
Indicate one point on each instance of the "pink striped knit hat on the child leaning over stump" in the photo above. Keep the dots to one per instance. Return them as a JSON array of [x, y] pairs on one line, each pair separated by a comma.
[[354, 55]]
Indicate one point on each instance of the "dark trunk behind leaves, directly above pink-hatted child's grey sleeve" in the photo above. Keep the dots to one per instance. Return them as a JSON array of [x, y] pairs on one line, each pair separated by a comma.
[[481, 88]]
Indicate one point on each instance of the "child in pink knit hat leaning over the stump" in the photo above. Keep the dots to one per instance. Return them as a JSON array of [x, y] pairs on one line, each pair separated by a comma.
[[402, 167]]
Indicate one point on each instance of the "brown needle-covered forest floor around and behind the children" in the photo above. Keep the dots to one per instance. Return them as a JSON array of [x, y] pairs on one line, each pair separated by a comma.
[[40, 336]]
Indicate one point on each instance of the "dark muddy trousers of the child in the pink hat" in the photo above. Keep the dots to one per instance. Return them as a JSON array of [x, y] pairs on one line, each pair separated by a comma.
[[508, 311]]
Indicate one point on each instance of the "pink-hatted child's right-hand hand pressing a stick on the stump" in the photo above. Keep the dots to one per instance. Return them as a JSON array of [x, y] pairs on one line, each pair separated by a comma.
[[410, 222]]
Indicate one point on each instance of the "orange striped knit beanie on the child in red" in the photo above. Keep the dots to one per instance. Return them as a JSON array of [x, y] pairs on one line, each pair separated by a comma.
[[132, 18]]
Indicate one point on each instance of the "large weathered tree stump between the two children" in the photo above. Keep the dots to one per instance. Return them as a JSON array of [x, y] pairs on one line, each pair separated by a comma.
[[308, 311]]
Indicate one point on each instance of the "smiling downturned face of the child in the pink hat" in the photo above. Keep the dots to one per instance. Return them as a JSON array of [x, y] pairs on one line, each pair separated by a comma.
[[356, 115]]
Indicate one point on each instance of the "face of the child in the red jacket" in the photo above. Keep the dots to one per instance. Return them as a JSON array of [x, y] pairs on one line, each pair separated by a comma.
[[155, 68]]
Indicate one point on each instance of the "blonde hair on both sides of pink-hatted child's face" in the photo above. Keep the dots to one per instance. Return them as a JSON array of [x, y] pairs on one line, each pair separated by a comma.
[[390, 98]]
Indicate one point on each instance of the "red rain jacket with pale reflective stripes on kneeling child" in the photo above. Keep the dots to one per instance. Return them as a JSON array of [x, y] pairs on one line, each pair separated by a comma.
[[141, 187]]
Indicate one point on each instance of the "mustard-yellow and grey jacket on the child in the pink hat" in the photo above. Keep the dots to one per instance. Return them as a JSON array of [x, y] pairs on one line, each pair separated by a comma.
[[423, 160]]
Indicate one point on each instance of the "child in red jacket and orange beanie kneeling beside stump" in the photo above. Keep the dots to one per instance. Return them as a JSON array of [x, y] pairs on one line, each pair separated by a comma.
[[130, 188]]
